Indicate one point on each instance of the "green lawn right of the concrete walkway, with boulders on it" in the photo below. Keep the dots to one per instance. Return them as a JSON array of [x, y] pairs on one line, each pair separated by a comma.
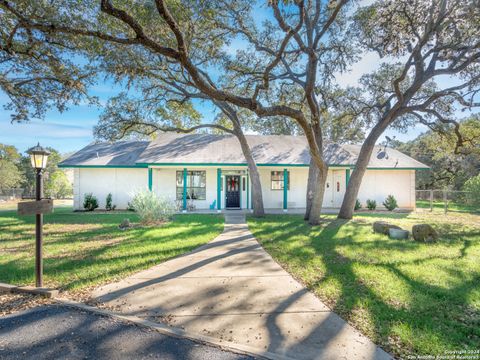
[[406, 296]]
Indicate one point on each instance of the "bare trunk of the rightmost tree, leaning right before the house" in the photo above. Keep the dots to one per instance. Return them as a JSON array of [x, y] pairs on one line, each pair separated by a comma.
[[351, 193]]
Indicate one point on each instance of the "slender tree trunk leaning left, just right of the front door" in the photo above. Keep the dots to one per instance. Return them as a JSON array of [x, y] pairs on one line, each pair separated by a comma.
[[257, 197]]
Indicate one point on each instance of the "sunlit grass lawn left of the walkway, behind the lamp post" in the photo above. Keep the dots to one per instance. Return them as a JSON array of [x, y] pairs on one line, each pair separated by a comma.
[[87, 249]]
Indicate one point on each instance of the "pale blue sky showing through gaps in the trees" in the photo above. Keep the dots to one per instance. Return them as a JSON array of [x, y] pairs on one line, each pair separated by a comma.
[[73, 129]]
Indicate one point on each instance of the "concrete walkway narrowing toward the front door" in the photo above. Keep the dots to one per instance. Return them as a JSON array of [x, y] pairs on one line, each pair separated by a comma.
[[232, 290]]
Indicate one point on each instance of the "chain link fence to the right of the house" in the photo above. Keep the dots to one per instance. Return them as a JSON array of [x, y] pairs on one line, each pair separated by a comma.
[[446, 201]]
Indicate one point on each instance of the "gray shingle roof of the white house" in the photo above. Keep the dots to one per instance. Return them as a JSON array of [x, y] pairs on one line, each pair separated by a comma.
[[170, 148]]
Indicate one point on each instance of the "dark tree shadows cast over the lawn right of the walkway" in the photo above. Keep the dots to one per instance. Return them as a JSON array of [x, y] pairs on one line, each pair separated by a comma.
[[432, 312]]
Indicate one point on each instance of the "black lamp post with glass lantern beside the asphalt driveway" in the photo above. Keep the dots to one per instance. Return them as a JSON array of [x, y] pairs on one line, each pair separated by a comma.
[[38, 157]]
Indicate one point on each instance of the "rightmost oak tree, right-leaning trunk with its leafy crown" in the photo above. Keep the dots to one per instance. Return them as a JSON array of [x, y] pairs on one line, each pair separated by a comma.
[[419, 44]]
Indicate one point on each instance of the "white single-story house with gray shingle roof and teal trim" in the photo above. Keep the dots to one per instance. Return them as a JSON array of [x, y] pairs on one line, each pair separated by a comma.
[[204, 171]]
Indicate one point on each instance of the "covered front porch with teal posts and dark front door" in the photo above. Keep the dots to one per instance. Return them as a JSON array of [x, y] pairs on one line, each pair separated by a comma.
[[210, 189]]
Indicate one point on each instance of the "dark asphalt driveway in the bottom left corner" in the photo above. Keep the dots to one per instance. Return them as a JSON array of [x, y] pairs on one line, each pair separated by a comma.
[[57, 332]]
